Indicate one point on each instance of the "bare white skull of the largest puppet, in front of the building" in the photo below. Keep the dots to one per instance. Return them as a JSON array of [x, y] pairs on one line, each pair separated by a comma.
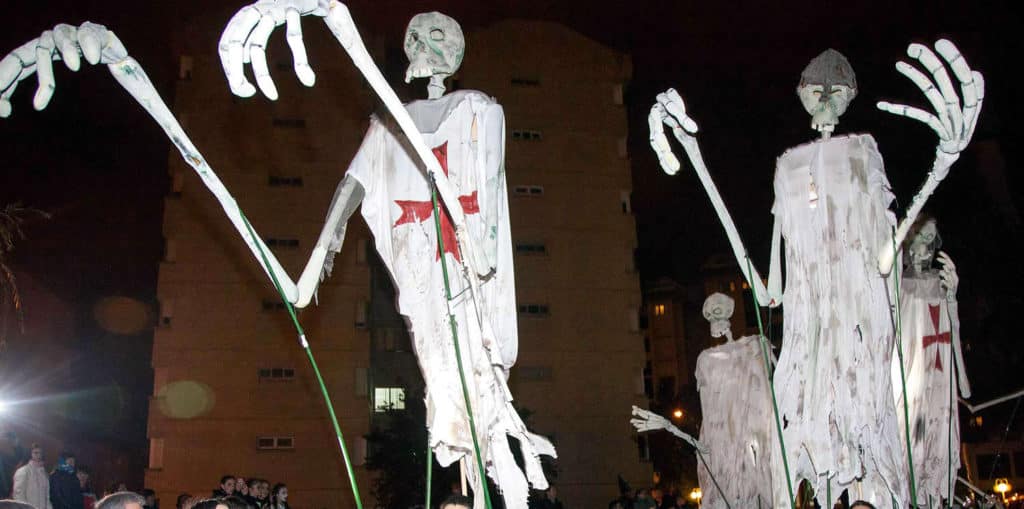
[[435, 46]]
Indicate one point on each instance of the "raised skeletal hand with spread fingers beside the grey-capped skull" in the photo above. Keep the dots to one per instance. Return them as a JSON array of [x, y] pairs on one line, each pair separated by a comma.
[[954, 122]]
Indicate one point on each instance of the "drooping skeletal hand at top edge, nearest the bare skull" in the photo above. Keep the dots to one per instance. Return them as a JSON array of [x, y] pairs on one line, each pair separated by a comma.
[[244, 41]]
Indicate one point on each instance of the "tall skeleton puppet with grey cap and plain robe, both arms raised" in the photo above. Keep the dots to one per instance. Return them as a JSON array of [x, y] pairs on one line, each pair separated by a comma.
[[832, 206]]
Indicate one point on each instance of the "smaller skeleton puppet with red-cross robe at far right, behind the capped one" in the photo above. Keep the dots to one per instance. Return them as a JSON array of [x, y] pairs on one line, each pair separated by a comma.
[[932, 356]]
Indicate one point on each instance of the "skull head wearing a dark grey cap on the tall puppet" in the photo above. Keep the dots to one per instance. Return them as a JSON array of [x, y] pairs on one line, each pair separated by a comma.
[[827, 88]]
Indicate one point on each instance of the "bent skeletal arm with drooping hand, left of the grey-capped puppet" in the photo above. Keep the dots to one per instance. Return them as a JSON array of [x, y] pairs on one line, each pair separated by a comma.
[[671, 111]]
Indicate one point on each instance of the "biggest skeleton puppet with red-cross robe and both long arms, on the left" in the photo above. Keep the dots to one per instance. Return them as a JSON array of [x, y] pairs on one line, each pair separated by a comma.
[[391, 177]]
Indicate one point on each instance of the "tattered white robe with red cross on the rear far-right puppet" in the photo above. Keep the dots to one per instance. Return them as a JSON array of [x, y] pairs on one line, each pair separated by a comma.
[[929, 324]]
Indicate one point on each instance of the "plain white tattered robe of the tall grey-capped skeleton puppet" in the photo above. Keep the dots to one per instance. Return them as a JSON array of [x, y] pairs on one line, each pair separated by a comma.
[[833, 381]]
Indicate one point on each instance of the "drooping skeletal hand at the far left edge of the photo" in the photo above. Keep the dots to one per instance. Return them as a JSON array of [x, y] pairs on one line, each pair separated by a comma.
[[63, 44]]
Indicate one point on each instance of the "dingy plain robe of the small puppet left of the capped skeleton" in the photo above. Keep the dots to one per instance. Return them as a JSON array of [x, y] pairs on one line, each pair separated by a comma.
[[737, 426]]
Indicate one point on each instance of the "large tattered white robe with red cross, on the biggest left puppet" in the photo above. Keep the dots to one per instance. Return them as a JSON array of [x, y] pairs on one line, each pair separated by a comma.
[[466, 131]]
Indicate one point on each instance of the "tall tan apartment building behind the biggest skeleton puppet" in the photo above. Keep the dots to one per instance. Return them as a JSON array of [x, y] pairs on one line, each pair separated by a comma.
[[233, 391]]
